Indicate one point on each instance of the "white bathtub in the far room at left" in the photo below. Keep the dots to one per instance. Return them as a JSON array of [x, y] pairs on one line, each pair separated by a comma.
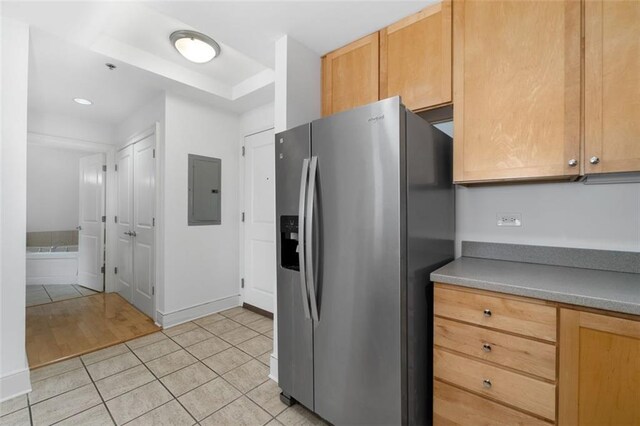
[[52, 265]]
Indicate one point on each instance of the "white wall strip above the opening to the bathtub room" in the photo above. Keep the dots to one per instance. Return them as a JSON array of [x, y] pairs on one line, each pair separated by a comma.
[[47, 123]]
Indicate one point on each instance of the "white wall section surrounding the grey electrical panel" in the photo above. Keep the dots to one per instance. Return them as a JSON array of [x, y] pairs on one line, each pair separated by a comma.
[[200, 262]]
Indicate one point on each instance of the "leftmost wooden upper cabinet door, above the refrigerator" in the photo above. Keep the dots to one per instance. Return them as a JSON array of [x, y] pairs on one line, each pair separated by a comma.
[[350, 76]]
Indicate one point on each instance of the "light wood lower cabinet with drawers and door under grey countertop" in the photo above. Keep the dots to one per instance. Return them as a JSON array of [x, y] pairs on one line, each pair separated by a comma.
[[487, 371]]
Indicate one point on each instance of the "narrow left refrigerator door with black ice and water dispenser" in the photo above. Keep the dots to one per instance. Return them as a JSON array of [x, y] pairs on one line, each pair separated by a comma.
[[295, 332]]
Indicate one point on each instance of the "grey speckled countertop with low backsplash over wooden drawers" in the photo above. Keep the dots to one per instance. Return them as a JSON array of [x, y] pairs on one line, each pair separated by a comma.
[[591, 278]]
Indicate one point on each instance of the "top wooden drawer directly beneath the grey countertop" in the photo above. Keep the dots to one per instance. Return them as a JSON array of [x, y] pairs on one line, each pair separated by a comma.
[[516, 316]]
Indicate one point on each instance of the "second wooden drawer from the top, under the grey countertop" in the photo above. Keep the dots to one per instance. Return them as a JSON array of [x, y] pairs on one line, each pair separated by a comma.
[[515, 352]]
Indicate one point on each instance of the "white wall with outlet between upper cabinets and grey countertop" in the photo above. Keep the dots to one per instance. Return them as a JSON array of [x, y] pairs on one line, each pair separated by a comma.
[[569, 214]]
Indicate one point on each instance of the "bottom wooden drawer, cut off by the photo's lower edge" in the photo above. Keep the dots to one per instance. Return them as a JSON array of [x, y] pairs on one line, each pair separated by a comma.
[[452, 406]]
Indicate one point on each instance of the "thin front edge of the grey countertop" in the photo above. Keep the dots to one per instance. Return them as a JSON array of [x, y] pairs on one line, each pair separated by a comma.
[[570, 299]]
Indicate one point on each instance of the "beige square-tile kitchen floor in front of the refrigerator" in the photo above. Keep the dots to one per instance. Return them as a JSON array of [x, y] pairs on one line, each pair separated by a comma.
[[212, 371]]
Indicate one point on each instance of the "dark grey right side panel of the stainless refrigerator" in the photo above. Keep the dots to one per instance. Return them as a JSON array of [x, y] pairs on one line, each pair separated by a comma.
[[430, 244]]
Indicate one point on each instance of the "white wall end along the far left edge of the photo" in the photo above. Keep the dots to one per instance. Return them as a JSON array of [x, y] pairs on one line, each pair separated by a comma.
[[14, 54]]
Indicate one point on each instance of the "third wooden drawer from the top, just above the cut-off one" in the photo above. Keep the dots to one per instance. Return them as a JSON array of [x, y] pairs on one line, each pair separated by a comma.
[[534, 396]]
